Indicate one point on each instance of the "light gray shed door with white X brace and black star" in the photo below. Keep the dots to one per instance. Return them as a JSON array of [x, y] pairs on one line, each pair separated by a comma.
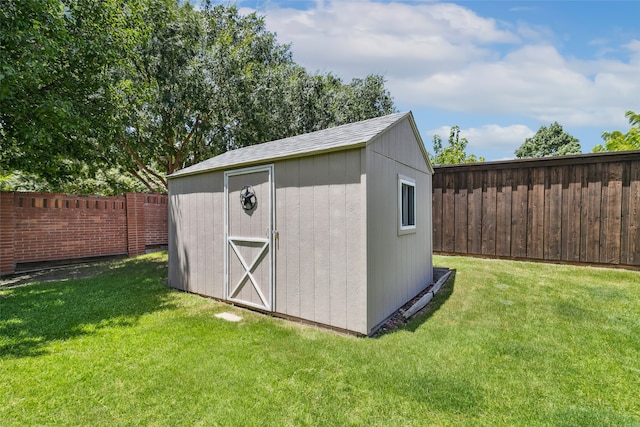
[[249, 236]]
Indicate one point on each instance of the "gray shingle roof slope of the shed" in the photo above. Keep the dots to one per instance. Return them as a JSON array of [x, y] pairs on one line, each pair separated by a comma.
[[339, 137]]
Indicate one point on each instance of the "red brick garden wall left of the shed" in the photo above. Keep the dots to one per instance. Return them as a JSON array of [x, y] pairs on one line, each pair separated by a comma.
[[37, 227]]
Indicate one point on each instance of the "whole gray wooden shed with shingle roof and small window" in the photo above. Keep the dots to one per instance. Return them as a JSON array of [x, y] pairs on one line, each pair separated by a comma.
[[332, 227]]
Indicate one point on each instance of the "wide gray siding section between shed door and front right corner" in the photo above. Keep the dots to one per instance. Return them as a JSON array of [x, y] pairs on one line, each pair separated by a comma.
[[320, 263]]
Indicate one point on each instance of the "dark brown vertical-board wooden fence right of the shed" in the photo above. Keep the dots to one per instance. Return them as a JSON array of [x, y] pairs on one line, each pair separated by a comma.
[[583, 209]]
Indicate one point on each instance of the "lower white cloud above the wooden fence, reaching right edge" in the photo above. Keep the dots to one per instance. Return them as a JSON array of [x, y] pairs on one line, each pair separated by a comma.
[[534, 81]]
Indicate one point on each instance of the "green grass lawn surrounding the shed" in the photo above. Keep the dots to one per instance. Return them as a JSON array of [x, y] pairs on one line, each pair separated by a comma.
[[505, 343]]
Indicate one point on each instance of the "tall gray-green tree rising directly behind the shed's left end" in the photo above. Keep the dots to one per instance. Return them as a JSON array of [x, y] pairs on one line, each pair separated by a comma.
[[201, 84]]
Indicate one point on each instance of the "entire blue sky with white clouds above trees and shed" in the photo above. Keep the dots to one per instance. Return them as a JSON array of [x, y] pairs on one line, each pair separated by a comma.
[[497, 69]]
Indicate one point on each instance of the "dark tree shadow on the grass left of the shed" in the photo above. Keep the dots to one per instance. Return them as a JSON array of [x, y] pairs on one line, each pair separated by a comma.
[[36, 314]]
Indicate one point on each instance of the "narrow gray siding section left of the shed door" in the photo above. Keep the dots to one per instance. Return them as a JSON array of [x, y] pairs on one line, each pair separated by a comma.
[[196, 234]]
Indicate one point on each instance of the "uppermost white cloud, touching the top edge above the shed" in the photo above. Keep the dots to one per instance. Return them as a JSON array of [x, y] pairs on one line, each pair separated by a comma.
[[394, 39]]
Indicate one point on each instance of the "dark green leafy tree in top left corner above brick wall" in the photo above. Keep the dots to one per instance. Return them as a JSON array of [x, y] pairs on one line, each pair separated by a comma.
[[57, 62]]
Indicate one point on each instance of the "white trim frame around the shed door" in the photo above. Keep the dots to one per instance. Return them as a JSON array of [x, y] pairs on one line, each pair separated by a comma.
[[271, 256]]
